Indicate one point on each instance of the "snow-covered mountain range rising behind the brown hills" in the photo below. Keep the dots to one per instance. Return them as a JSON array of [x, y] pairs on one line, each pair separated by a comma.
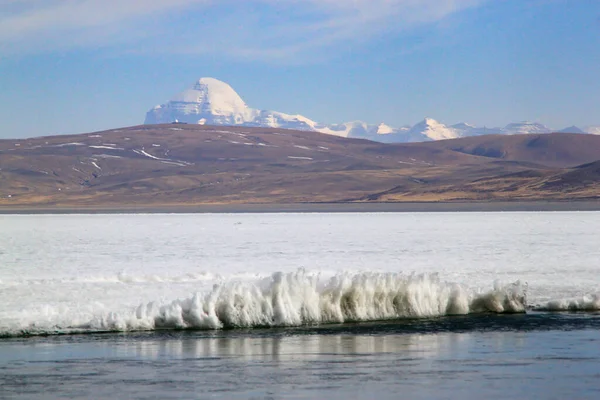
[[213, 102]]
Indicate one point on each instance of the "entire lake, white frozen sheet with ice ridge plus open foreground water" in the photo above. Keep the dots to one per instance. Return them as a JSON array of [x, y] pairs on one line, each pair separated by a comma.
[[358, 305]]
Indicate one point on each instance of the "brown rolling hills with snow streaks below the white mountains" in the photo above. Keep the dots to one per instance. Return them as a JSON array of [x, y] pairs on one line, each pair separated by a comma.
[[182, 164]]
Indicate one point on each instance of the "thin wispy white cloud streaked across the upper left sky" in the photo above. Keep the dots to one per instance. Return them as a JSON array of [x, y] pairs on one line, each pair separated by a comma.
[[251, 29]]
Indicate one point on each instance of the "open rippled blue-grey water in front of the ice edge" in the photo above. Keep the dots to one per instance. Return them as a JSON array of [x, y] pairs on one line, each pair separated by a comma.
[[296, 364]]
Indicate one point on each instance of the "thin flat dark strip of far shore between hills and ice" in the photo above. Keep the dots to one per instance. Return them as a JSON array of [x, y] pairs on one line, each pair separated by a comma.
[[505, 206]]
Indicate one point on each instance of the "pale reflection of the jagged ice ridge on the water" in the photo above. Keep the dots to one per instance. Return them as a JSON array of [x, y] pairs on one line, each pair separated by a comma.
[[289, 348]]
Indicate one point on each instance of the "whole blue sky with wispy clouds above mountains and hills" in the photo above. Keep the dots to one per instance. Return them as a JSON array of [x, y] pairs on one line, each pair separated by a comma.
[[74, 66]]
